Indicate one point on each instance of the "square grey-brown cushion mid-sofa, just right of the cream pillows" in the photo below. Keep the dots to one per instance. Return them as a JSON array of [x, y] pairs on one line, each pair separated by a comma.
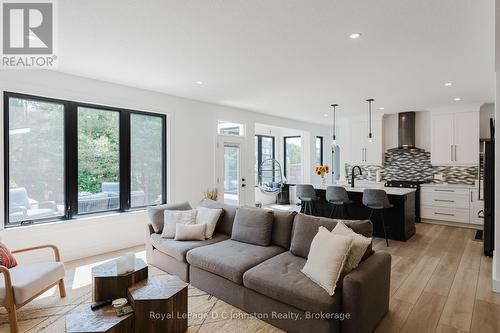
[[253, 226]]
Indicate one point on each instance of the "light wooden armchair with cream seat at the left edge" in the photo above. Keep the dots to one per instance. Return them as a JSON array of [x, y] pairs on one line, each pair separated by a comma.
[[23, 283]]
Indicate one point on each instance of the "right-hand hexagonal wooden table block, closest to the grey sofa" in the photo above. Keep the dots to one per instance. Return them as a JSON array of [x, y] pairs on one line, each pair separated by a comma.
[[160, 304]]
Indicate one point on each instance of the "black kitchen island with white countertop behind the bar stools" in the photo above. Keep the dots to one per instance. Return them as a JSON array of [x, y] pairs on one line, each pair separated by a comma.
[[400, 220]]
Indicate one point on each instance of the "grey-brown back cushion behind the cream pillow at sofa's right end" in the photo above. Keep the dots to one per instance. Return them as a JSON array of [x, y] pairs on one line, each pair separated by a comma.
[[305, 227]]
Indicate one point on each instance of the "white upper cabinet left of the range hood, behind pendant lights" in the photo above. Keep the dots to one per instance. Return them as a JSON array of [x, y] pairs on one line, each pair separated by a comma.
[[362, 151]]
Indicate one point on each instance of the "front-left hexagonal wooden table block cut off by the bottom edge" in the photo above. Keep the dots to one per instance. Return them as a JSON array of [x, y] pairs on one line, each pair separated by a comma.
[[103, 320]]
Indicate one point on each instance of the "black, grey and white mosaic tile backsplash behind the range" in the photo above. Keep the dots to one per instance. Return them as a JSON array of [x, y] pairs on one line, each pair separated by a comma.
[[416, 166]]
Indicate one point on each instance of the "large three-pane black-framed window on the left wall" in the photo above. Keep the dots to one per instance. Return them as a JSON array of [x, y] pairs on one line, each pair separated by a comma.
[[64, 159]]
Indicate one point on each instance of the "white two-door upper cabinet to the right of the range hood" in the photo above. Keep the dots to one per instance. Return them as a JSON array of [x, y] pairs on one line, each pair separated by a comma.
[[455, 138]]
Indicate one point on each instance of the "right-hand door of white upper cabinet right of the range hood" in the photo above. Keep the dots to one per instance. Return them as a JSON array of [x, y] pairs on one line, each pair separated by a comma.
[[466, 138]]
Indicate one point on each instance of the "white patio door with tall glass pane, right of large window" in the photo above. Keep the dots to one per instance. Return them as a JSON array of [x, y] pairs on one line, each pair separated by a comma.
[[230, 180]]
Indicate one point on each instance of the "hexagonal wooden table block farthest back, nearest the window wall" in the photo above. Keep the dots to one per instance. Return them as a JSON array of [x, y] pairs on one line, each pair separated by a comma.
[[108, 284]]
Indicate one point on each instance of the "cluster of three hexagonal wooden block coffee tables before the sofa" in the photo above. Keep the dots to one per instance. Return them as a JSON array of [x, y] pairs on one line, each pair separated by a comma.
[[159, 302]]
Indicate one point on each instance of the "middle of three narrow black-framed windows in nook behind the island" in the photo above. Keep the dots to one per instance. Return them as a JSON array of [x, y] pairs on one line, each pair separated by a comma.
[[292, 159]]
